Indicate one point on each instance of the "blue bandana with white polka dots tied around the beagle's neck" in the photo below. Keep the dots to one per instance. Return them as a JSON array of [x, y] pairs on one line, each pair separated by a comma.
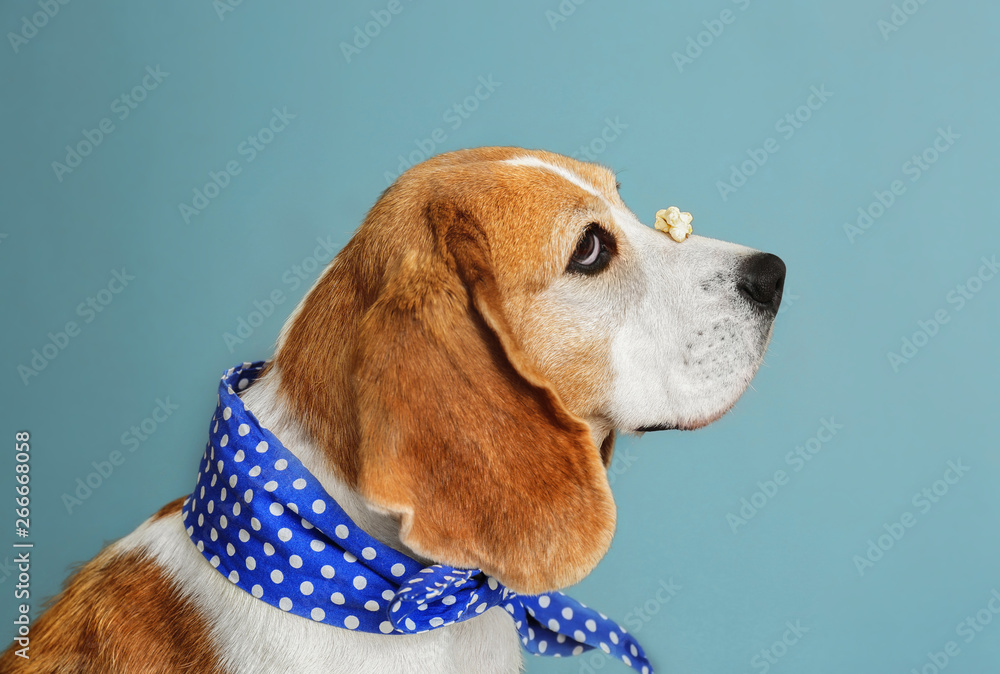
[[263, 521]]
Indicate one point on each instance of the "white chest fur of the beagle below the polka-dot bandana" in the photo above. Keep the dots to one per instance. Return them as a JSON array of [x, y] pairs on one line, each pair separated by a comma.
[[251, 637]]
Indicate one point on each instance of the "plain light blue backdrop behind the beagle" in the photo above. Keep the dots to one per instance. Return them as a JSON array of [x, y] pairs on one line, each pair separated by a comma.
[[847, 304]]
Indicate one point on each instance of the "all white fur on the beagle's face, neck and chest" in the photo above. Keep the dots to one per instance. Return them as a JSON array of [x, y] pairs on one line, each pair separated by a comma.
[[685, 347]]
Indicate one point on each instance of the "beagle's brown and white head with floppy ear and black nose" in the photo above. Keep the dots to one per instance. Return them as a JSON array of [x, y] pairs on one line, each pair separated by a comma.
[[466, 359]]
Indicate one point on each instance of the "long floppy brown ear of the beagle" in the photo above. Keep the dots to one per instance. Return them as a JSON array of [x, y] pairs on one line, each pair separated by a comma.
[[461, 437]]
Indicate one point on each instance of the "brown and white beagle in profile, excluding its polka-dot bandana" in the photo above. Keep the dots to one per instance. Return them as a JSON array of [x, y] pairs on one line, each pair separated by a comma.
[[454, 380]]
